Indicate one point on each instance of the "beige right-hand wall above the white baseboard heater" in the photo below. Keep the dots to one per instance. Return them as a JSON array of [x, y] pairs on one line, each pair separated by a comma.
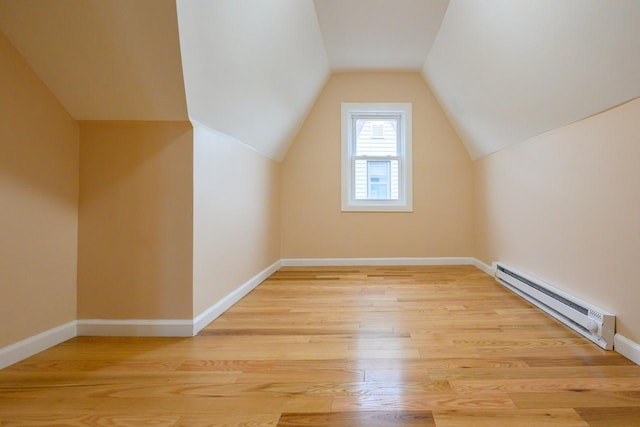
[[565, 207]]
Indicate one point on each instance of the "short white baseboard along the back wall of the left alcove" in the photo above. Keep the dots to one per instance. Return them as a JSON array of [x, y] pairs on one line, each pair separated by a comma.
[[135, 327]]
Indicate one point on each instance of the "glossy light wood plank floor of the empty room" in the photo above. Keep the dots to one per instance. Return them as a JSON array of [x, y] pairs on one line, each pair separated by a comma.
[[418, 346]]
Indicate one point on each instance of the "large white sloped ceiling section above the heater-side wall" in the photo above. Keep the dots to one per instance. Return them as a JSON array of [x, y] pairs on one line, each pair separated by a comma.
[[507, 70]]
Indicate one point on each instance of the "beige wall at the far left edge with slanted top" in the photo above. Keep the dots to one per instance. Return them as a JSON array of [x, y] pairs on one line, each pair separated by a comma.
[[38, 203]]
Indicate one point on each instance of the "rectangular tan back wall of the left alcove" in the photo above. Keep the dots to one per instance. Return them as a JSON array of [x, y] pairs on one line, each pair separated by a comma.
[[135, 223]]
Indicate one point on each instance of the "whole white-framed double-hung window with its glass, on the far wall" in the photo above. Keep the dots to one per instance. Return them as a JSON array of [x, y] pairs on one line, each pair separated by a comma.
[[376, 157]]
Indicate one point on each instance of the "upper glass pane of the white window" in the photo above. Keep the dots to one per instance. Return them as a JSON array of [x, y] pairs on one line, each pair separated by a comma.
[[376, 137]]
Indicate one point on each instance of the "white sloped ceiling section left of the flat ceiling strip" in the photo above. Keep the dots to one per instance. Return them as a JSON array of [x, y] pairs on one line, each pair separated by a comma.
[[253, 68]]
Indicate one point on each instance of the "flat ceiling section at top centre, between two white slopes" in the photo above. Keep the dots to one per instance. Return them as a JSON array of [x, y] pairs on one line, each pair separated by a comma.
[[379, 34]]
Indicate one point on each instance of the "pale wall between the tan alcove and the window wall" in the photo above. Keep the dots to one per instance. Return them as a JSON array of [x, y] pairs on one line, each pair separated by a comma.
[[236, 216]]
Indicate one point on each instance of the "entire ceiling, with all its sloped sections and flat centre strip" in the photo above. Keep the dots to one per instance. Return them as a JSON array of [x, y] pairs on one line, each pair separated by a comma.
[[503, 70]]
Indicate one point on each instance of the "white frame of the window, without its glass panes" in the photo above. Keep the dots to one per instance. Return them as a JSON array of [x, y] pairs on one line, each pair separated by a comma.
[[404, 203]]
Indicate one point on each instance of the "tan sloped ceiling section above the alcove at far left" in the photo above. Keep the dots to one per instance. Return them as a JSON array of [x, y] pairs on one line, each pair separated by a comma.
[[103, 59]]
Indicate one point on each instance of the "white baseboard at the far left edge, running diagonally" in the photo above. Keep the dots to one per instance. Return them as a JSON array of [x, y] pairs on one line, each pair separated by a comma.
[[28, 347]]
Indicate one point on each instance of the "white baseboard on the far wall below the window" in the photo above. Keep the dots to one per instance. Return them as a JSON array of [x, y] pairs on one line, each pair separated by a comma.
[[350, 262]]
